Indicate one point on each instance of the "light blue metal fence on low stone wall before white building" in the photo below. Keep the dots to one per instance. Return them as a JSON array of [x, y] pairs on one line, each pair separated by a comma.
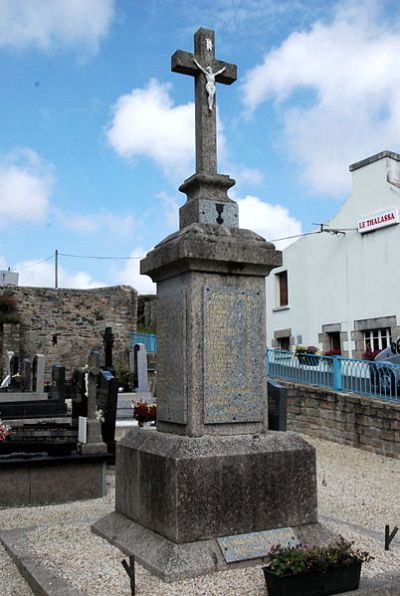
[[379, 379]]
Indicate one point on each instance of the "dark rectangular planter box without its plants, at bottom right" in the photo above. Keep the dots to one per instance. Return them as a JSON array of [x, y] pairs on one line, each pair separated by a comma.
[[334, 580]]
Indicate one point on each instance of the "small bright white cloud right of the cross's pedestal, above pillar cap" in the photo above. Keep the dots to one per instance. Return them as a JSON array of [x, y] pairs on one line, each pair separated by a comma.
[[270, 221]]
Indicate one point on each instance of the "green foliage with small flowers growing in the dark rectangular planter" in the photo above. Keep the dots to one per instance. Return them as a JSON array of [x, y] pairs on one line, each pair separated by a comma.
[[304, 558]]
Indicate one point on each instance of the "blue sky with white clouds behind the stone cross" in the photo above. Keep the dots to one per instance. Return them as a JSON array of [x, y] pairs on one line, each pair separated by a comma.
[[97, 133]]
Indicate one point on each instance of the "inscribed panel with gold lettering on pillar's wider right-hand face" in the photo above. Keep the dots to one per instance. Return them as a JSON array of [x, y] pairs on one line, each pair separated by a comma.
[[233, 355]]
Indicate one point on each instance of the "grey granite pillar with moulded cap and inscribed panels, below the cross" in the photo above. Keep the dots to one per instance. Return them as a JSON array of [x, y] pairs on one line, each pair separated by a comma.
[[211, 329]]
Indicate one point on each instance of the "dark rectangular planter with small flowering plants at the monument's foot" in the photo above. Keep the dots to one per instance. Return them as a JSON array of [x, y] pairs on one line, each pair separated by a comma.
[[304, 570]]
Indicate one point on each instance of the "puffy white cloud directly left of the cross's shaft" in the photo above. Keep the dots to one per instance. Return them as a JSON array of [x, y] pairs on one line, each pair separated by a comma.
[[146, 122]]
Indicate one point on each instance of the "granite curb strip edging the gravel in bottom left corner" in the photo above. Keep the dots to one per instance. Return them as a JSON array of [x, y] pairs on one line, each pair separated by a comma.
[[42, 580]]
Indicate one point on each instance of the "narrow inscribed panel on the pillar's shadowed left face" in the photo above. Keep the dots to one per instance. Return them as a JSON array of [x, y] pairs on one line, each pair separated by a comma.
[[171, 355]]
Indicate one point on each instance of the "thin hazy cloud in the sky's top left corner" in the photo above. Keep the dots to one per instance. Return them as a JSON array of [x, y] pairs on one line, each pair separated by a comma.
[[54, 23]]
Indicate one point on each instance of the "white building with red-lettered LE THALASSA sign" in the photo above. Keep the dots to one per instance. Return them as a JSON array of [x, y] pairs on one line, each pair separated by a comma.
[[341, 288]]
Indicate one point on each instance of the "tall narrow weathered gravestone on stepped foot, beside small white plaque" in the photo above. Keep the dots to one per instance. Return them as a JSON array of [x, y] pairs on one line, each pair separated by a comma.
[[94, 442]]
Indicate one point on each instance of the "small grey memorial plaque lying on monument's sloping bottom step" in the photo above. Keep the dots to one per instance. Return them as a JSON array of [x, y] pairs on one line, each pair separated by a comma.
[[243, 547]]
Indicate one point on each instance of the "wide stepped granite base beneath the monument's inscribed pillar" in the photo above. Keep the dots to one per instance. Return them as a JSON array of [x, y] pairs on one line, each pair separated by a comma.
[[188, 506]]
